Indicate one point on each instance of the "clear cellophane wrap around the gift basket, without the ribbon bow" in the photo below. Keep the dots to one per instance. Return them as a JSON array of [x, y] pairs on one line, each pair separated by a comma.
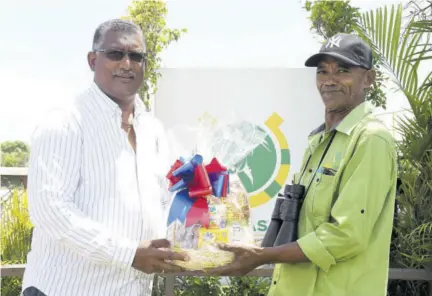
[[229, 216]]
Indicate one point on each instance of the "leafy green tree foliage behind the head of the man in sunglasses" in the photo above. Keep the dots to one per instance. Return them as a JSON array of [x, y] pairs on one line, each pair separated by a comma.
[[150, 16]]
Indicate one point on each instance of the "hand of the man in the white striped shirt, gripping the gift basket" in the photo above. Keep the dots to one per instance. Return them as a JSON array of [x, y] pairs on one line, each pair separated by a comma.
[[151, 257]]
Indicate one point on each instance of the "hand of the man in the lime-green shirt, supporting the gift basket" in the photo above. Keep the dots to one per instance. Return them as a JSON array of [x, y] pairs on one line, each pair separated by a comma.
[[246, 259]]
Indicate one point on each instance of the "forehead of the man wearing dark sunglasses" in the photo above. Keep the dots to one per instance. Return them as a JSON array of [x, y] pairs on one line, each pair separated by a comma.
[[119, 39]]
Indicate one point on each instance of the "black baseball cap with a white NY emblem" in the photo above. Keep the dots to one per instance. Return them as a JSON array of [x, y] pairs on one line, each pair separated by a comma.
[[347, 48]]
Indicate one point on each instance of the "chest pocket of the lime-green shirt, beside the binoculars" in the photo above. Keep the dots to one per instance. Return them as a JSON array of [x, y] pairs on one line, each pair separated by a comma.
[[322, 196]]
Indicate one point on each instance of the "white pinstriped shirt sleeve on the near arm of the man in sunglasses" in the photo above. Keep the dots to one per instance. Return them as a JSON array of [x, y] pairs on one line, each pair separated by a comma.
[[53, 178]]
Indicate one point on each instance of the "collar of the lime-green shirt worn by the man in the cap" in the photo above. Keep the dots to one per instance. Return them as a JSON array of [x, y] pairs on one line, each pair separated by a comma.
[[349, 122]]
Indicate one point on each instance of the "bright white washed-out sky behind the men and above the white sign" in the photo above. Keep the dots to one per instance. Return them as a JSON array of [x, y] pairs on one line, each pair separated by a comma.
[[45, 42]]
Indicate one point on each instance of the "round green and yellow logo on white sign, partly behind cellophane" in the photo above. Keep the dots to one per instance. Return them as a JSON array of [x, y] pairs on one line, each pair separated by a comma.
[[259, 156]]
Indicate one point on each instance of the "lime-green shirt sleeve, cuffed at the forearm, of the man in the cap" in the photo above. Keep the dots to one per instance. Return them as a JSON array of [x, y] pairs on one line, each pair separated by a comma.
[[366, 188]]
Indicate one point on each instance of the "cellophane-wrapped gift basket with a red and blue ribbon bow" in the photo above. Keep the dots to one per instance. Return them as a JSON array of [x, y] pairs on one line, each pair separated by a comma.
[[209, 204]]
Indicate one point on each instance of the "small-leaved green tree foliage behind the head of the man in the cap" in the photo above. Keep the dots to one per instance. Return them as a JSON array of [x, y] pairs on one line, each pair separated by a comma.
[[331, 17]]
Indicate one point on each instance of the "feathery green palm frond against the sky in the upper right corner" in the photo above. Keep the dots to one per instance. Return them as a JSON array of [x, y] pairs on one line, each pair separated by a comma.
[[400, 51]]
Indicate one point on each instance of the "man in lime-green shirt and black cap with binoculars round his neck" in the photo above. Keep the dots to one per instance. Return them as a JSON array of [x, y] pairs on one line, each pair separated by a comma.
[[345, 222]]
